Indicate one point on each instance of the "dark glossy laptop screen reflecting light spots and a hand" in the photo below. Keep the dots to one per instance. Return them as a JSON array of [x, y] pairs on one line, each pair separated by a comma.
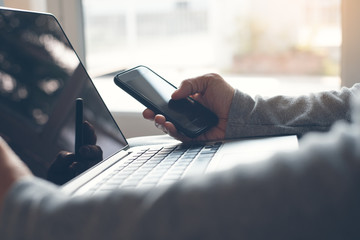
[[40, 78]]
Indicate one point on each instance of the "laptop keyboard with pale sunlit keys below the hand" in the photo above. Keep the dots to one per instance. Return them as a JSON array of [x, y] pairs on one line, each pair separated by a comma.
[[154, 166]]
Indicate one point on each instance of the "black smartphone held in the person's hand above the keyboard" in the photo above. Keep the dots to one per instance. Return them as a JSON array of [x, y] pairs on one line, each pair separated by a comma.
[[189, 116]]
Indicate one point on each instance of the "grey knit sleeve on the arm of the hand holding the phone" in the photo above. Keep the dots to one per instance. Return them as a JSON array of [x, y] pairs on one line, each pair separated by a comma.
[[288, 115]]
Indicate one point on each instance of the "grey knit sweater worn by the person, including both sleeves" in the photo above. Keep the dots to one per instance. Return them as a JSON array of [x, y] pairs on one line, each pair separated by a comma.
[[309, 194]]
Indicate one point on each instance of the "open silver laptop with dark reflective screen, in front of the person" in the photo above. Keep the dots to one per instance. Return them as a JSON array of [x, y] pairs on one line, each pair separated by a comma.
[[40, 78]]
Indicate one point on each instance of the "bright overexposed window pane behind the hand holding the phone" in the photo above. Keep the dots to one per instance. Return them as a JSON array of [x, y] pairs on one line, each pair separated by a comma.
[[261, 46]]
